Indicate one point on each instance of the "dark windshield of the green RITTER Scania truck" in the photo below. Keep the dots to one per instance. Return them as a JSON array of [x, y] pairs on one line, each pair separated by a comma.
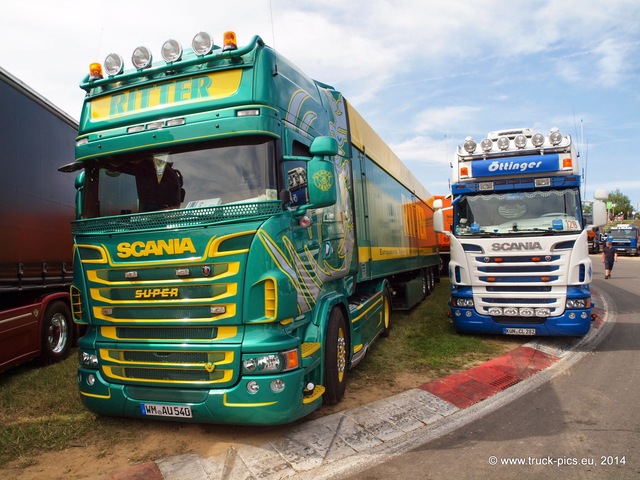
[[213, 174]]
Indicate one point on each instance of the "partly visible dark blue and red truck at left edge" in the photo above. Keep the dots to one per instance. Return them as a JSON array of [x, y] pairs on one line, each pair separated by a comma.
[[37, 208]]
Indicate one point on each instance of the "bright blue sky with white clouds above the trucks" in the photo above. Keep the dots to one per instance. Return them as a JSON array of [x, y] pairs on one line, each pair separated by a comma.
[[425, 74]]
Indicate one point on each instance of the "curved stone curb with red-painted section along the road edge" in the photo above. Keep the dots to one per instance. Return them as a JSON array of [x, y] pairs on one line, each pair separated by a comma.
[[339, 443]]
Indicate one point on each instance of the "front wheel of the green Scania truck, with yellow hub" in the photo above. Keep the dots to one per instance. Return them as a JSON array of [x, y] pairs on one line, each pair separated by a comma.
[[335, 359]]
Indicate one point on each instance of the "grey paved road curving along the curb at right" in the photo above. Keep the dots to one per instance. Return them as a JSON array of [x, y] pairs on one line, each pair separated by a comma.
[[583, 423]]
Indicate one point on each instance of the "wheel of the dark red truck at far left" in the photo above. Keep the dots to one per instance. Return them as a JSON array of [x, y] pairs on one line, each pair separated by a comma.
[[56, 333]]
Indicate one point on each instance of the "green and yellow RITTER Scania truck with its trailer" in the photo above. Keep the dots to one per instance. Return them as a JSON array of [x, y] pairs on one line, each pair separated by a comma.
[[241, 236]]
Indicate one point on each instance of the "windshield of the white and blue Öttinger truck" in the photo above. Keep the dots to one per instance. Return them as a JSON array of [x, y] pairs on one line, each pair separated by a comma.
[[526, 212]]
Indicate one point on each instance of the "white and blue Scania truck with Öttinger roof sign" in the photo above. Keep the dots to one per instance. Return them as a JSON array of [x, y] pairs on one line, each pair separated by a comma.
[[519, 261]]
